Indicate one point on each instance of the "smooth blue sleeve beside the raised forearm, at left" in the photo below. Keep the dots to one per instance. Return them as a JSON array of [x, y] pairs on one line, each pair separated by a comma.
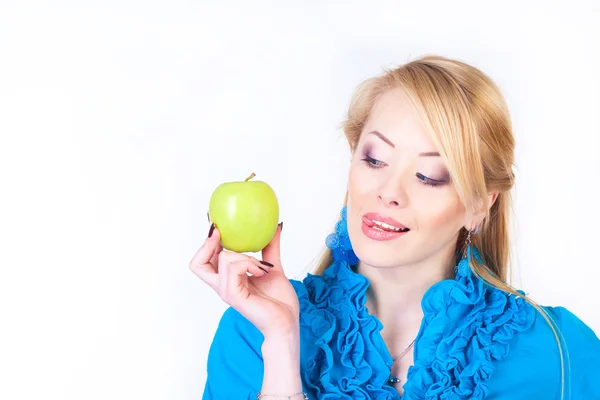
[[235, 364]]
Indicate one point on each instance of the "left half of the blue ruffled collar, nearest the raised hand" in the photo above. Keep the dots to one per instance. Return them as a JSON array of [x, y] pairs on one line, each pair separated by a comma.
[[350, 362]]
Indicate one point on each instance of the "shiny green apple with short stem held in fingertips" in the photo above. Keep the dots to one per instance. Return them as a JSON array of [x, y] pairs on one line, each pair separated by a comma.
[[246, 213]]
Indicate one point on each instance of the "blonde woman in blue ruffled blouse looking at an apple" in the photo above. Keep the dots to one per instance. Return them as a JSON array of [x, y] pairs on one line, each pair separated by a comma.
[[410, 300]]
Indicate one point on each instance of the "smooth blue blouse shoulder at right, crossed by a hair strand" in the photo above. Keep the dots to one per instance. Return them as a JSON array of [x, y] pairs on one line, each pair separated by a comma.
[[533, 366]]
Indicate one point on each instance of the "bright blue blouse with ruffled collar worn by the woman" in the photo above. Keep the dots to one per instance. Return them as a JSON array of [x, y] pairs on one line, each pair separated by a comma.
[[475, 342]]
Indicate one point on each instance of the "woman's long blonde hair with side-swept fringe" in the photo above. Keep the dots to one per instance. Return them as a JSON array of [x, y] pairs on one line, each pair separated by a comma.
[[468, 120]]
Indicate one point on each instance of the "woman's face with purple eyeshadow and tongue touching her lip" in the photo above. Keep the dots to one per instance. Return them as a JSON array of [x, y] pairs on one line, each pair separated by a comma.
[[397, 177]]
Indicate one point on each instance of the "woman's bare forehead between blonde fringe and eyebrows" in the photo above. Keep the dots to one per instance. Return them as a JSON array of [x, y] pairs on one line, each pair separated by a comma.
[[394, 116]]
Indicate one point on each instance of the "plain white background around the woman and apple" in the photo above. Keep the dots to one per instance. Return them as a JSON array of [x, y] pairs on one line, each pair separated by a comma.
[[119, 118]]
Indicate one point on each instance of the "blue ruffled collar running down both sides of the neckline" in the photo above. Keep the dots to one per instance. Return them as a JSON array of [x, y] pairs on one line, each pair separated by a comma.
[[467, 325]]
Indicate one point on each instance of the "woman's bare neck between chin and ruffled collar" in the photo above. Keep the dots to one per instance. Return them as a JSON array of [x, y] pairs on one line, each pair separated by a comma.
[[395, 293]]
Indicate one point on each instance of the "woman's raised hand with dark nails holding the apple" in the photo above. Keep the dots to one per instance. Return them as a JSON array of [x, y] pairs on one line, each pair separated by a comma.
[[267, 298]]
